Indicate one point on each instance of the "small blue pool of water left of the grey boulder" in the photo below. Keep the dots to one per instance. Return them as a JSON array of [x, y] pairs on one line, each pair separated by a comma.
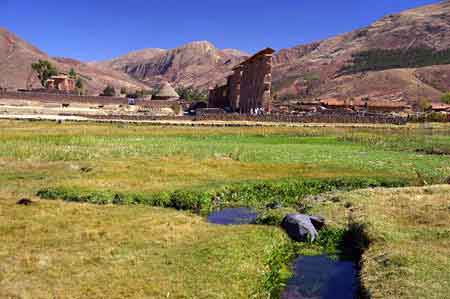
[[233, 216]]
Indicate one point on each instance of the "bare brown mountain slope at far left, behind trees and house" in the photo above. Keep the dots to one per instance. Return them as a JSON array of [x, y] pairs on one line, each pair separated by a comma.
[[16, 57]]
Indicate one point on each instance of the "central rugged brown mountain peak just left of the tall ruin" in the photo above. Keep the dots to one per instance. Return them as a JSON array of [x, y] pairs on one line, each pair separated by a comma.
[[198, 64]]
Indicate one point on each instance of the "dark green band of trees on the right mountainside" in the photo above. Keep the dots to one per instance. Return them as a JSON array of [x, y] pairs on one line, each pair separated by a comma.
[[383, 59]]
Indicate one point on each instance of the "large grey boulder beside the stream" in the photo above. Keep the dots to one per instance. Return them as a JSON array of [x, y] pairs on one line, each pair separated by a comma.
[[300, 227]]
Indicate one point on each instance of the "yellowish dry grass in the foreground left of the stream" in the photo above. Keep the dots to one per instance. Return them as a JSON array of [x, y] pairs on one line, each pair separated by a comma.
[[60, 250]]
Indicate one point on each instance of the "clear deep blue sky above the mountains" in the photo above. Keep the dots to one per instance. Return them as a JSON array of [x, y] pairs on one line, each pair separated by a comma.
[[102, 29]]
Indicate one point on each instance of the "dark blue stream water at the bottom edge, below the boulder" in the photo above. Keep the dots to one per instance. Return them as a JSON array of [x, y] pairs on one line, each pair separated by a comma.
[[319, 277]]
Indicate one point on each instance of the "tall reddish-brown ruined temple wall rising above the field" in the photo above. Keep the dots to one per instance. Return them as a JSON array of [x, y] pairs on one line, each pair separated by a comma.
[[248, 88]]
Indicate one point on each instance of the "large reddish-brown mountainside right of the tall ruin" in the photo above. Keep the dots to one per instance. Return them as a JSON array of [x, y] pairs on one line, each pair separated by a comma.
[[316, 70]]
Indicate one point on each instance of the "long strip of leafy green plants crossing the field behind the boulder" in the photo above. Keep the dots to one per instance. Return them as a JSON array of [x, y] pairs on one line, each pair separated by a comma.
[[257, 195]]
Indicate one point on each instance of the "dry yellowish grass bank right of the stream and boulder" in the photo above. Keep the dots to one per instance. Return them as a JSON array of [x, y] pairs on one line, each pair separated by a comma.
[[409, 228]]
